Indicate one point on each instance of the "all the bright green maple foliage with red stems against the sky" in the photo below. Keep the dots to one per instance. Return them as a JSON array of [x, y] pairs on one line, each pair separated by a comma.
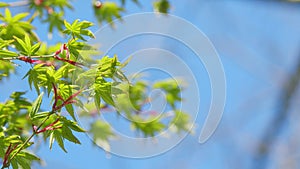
[[68, 73]]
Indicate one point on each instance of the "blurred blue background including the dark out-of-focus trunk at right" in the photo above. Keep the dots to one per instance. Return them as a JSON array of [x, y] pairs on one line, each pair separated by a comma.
[[259, 45]]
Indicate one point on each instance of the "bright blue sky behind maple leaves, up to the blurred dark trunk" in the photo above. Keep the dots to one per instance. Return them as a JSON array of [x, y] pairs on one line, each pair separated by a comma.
[[258, 43]]
